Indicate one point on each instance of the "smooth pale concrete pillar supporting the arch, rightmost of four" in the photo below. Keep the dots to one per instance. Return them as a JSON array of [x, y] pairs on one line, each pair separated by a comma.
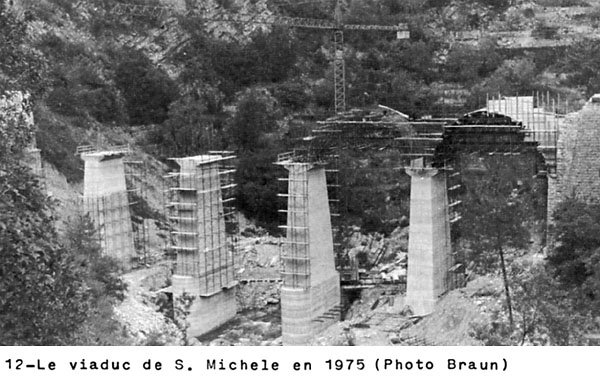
[[429, 246]]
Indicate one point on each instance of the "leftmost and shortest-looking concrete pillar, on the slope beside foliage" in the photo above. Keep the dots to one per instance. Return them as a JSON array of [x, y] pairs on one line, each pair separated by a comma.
[[105, 200]]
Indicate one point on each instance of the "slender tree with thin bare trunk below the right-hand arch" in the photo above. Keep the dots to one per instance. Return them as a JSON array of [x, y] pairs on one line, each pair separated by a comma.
[[498, 210]]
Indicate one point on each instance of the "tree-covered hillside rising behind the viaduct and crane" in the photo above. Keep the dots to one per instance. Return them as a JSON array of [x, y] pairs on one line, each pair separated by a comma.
[[193, 73]]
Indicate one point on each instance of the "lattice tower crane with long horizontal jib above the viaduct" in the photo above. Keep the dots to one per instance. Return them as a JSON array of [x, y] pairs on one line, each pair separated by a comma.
[[336, 25]]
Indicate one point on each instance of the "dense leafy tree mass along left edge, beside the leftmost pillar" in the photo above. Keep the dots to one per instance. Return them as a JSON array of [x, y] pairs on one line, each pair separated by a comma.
[[50, 292]]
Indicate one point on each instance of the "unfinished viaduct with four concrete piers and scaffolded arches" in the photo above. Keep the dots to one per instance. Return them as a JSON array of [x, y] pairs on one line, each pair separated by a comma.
[[432, 153]]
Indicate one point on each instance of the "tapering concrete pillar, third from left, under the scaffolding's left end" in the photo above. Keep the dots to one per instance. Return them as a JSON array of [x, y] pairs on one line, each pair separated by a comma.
[[310, 294]]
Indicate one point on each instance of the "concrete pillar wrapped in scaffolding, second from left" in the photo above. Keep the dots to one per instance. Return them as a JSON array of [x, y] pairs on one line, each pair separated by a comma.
[[205, 267]]
